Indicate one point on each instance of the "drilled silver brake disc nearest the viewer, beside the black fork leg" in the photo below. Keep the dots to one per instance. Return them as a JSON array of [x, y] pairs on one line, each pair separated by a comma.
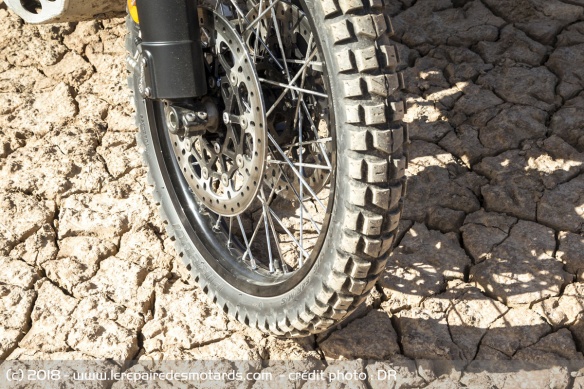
[[225, 170]]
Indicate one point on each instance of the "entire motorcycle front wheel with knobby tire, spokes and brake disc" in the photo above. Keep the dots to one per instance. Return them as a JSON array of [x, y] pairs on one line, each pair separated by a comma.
[[286, 214]]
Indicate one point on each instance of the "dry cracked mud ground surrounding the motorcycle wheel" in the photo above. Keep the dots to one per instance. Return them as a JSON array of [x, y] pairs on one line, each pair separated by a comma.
[[489, 264]]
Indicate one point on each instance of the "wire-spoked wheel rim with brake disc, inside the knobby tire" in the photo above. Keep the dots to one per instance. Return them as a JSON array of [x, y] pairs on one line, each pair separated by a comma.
[[266, 244]]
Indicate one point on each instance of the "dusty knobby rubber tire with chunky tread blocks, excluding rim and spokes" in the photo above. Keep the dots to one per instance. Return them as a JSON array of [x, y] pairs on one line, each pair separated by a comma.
[[376, 148]]
